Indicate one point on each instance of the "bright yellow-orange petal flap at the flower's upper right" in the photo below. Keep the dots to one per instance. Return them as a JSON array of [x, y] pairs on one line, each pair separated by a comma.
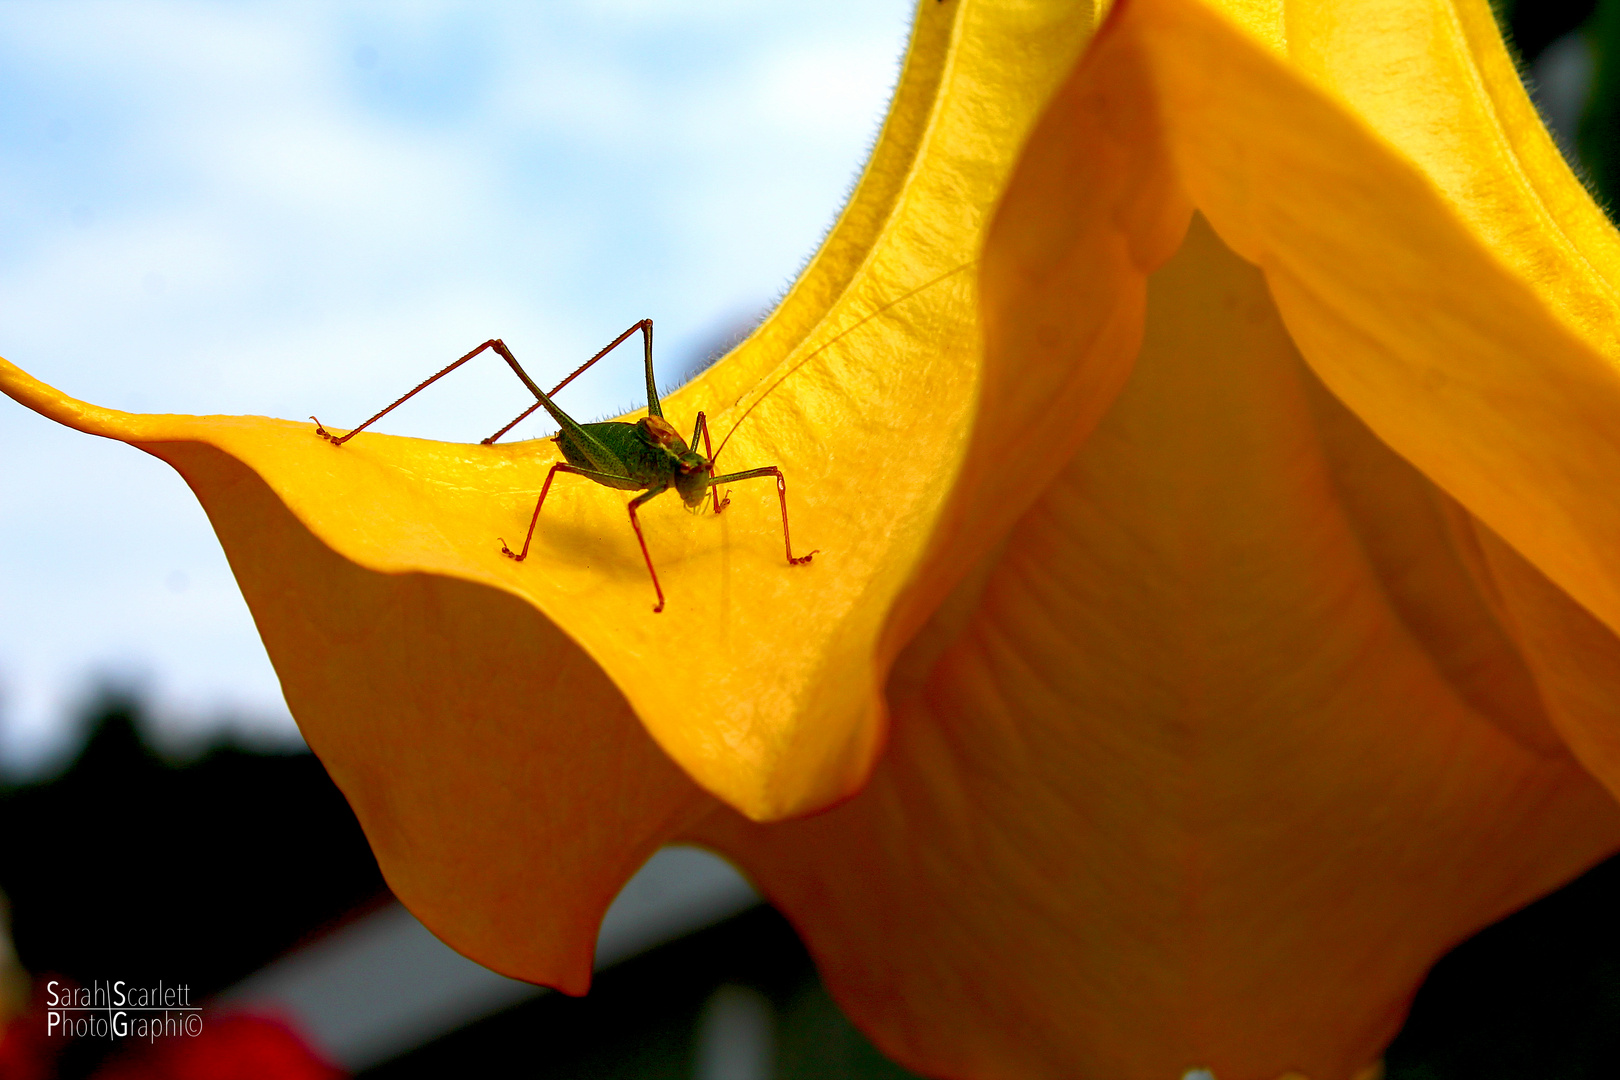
[[1438, 263]]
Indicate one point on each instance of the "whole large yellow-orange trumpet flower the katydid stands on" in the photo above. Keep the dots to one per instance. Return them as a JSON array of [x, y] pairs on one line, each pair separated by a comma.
[[1174, 697]]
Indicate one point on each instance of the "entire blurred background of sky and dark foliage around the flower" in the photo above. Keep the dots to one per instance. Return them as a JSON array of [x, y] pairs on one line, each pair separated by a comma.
[[294, 210]]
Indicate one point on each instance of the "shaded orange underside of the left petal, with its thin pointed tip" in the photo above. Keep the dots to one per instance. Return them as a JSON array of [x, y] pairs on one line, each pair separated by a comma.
[[503, 783]]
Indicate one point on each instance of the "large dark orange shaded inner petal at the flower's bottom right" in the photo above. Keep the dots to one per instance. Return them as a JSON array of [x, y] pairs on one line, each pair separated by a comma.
[[1185, 789]]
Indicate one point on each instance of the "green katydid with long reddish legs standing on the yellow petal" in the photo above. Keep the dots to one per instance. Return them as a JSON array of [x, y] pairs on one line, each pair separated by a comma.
[[647, 456]]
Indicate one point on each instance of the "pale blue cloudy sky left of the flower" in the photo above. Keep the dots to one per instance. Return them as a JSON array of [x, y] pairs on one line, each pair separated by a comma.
[[296, 210]]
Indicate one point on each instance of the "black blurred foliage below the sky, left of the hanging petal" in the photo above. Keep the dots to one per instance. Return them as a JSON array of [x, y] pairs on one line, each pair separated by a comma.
[[202, 872]]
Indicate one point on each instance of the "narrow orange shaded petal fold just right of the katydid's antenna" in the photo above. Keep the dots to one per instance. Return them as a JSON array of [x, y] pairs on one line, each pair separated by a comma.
[[1089, 213]]
